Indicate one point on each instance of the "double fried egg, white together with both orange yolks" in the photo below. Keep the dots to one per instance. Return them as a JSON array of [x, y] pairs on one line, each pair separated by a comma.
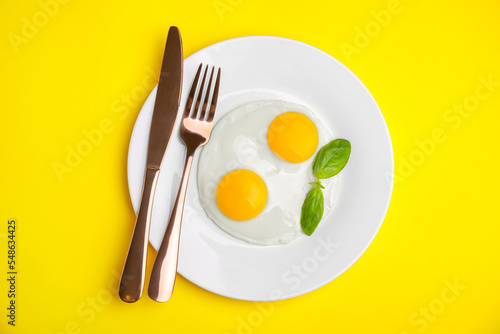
[[253, 174]]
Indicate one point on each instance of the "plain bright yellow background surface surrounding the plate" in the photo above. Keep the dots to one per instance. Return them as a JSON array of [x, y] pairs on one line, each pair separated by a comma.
[[85, 70]]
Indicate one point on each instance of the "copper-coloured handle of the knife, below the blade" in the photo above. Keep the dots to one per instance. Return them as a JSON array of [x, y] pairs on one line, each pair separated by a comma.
[[134, 270]]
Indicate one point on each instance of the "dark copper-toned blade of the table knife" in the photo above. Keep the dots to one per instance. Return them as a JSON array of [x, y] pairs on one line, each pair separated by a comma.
[[167, 99]]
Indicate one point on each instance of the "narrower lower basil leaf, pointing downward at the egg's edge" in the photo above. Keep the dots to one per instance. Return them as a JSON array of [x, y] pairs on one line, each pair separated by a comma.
[[312, 210]]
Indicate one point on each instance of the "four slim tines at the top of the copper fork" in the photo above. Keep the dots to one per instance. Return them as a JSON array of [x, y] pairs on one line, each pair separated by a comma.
[[198, 112]]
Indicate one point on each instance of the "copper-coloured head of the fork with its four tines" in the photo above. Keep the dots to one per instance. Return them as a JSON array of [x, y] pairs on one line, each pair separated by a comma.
[[197, 122]]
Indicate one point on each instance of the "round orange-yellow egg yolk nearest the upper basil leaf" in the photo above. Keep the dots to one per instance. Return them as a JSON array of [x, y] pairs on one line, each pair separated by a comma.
[[293, 137]]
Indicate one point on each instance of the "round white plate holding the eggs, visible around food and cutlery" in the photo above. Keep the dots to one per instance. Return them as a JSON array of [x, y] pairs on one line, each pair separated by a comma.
[[260, 68]]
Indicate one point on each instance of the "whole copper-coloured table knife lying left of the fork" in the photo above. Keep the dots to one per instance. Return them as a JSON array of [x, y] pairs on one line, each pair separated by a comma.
[[164, 118]]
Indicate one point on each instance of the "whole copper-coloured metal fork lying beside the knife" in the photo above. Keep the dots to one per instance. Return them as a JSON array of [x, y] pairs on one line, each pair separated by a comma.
[[194, 131]]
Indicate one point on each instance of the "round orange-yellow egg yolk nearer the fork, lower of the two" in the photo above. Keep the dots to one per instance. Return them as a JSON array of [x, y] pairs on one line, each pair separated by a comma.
[[241, 194]]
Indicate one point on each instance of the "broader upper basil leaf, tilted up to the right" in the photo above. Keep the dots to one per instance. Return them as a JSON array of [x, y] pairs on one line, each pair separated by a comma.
[[331, 158]]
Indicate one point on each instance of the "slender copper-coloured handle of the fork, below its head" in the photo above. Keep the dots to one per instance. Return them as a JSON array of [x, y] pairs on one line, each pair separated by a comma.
[[162, 280]]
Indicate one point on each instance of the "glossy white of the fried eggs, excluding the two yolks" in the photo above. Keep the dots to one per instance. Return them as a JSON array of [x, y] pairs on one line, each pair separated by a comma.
[[239, 141]]
